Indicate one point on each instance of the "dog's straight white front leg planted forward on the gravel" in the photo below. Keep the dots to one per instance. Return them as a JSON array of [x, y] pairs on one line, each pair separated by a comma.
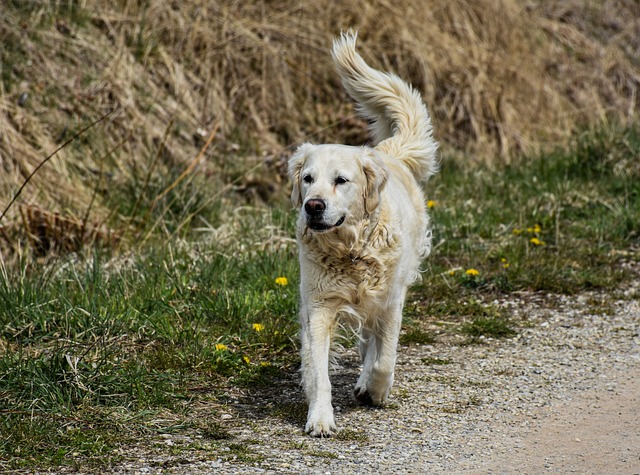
[[316, 328]]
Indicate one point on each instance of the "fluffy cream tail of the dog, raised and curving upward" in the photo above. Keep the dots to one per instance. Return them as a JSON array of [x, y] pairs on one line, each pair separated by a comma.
[[400, 122]]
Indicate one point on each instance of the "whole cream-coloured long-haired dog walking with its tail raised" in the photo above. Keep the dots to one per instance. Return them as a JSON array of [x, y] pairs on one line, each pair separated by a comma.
[[362, 231]]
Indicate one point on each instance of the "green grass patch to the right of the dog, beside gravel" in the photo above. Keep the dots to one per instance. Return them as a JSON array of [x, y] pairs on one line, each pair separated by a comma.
[[553, 223]]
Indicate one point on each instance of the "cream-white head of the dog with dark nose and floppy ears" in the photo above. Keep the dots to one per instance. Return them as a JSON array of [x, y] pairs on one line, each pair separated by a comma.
[[335, 184]]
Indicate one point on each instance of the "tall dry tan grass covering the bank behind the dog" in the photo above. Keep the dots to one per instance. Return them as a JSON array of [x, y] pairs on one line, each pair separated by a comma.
[[500, 76]]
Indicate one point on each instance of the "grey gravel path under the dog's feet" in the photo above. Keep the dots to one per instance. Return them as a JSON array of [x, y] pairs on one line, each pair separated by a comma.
[[561, 397]]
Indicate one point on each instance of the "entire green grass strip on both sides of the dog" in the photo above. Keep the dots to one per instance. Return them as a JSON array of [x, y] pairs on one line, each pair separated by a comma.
[[100, 350]]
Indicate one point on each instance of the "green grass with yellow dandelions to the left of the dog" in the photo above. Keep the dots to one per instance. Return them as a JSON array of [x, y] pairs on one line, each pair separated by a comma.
[[104, 347]]
